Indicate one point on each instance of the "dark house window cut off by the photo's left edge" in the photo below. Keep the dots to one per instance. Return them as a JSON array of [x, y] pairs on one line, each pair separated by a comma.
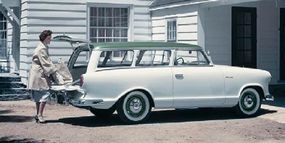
[[3, 36]]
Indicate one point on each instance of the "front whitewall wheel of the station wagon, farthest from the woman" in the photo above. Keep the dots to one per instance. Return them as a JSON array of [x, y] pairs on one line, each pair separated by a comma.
[[249, 103]]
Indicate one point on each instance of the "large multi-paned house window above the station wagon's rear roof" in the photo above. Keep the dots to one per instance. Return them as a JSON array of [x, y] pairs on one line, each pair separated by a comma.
[[109, 25]]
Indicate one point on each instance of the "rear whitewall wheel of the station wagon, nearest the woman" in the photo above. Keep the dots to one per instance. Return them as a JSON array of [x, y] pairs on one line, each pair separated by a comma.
[[134, 108]]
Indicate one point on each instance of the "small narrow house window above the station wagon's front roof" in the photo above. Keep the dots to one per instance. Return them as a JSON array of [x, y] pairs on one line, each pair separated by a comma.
[[171, 31]]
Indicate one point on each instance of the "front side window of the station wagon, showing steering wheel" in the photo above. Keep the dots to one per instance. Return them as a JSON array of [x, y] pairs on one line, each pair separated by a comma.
[[190, 57]]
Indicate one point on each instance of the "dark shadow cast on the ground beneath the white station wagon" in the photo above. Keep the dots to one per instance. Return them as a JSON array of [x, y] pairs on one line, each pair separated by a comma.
[[159, 117]]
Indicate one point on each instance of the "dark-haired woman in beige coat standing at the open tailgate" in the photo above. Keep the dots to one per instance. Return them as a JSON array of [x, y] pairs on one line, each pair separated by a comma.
[[40, 73]]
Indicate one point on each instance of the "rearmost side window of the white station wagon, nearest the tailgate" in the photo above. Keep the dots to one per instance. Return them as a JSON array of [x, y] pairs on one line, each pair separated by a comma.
[[107, 58]]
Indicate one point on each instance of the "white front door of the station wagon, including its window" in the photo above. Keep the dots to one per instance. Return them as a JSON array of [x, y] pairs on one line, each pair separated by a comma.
[[196, 83]]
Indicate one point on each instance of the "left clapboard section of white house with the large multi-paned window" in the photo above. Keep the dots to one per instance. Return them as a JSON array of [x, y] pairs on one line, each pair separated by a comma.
[[96, 20]]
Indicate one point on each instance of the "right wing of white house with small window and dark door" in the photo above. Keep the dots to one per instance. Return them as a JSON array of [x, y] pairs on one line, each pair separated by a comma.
[[249, 33]]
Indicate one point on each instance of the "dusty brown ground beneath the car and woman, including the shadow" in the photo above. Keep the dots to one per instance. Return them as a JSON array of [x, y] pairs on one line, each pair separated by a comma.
[[70, 124]]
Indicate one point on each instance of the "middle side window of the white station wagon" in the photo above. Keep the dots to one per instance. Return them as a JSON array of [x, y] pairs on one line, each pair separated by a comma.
[[153, 58]]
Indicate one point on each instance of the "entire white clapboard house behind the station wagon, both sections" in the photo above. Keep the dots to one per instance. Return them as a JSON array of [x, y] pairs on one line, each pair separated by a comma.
[[236, 32]]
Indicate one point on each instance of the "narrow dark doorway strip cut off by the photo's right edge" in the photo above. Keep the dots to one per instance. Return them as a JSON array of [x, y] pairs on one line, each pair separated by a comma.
[[282, 44]]
